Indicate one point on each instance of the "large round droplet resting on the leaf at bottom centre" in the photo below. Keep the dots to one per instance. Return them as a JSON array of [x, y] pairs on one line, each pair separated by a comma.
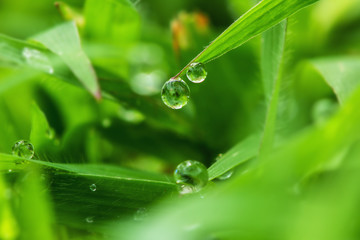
[[191, 176]]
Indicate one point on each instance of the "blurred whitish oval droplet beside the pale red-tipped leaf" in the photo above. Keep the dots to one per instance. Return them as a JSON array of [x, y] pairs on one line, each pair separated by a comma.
[[37, 60]]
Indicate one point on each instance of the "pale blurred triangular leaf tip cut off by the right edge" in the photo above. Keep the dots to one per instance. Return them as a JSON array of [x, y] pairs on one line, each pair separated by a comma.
[[341, 73]]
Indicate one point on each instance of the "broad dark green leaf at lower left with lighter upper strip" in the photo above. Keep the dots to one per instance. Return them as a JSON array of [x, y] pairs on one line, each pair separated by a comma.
[[118, 192]]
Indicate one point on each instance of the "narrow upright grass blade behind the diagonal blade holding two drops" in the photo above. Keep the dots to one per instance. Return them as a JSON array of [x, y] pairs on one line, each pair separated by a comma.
[[272, 58]]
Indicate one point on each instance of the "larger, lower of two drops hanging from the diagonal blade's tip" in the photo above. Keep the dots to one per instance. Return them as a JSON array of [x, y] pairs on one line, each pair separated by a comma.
[[175, 93]]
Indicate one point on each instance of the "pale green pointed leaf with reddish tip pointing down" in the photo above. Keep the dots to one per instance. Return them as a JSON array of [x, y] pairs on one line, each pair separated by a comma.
[[64, 41]]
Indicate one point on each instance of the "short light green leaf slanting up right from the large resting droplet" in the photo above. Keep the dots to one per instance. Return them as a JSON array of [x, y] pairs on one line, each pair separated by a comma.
[[240, 153]]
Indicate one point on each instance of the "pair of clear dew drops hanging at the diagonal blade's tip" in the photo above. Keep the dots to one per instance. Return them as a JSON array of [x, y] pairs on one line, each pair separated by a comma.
[[176, 93]]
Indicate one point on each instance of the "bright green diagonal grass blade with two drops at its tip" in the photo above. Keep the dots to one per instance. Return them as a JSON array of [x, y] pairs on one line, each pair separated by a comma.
[[263, 16]]
